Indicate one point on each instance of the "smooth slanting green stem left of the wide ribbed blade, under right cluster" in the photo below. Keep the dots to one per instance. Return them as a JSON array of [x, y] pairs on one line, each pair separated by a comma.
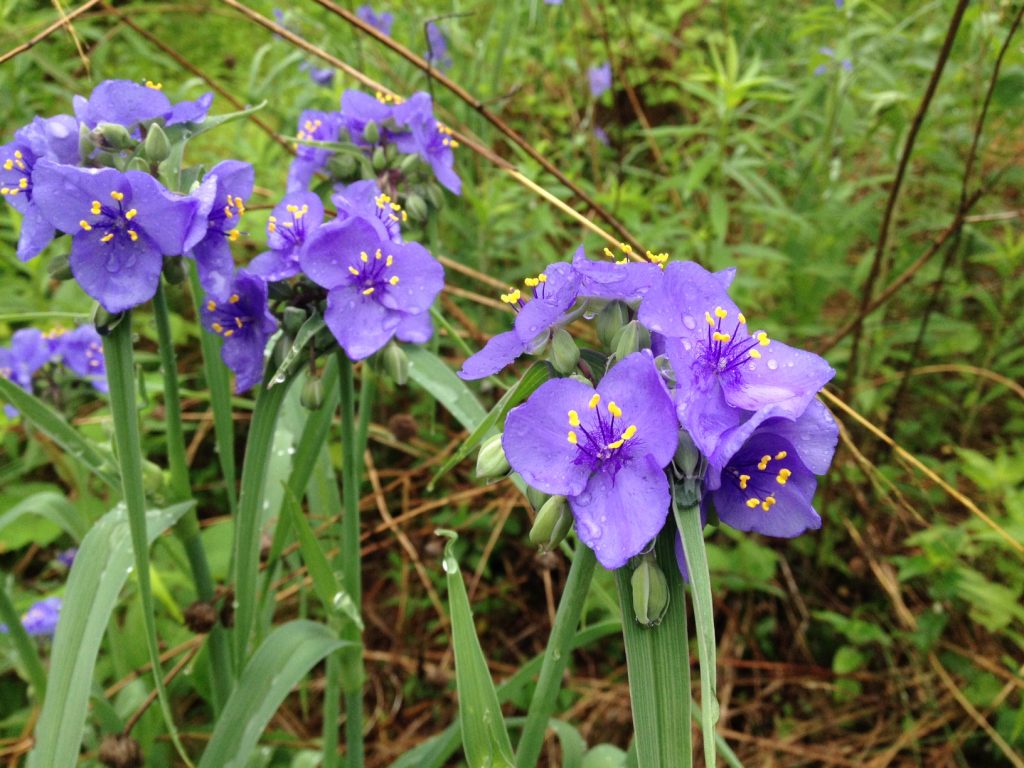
[[557, 657]]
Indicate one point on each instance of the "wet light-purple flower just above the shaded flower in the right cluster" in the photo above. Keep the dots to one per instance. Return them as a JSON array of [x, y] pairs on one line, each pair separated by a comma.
[[724, 371]]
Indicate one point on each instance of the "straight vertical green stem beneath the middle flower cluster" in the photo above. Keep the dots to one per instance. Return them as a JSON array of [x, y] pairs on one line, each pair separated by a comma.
[[353, 668]]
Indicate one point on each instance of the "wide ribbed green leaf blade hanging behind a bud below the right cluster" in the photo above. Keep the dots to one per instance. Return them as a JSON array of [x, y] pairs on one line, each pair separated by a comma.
[[659, 666]]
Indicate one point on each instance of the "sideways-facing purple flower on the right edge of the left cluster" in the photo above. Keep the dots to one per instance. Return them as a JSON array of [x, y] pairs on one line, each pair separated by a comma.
[[223, 201]]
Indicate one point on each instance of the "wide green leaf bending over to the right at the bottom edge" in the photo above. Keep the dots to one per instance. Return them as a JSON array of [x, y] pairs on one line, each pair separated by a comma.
[[277, 667]]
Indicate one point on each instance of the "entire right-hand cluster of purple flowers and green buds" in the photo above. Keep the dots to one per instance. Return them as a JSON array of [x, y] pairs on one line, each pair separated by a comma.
[[686, 402]]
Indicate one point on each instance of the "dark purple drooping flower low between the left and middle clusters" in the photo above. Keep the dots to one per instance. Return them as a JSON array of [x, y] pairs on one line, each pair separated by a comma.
[[242, 319]]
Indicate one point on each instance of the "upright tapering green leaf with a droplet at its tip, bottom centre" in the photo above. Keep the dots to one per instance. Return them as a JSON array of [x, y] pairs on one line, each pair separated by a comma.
[[485, 739]]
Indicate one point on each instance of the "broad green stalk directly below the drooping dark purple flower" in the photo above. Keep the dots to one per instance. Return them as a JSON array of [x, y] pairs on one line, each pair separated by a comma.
[[247, 528]]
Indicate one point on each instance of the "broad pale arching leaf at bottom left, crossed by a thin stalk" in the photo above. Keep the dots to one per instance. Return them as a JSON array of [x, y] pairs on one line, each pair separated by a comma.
[[103, 565]]
